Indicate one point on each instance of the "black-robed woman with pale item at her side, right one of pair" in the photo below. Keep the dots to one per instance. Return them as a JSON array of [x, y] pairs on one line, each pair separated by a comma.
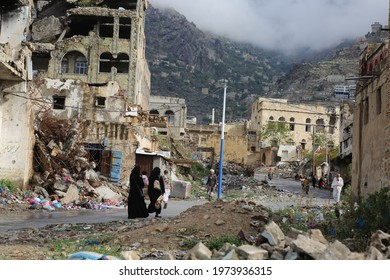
[[156, 190]]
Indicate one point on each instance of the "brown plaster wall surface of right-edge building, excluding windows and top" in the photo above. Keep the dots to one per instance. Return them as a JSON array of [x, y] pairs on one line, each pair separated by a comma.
[[370, 140]]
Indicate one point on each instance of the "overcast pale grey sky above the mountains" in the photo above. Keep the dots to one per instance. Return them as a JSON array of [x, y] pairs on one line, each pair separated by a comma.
[[283, 24]]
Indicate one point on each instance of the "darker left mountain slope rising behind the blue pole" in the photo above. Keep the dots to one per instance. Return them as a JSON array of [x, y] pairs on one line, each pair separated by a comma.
[[188, 63]]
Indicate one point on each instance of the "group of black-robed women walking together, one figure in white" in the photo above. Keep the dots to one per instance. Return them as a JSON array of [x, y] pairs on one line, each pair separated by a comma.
[[158, 189]]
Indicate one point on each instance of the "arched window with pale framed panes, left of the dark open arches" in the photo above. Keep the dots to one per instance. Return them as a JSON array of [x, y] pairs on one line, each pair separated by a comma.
[[74, 62]]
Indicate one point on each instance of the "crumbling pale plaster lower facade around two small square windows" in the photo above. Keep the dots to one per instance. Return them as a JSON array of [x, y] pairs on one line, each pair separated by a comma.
[[100, 124]]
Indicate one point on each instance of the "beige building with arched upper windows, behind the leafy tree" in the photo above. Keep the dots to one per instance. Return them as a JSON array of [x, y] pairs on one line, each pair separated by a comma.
[[304, 120]]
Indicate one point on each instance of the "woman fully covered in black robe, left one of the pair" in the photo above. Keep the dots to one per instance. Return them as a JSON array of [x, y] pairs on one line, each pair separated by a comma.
[[136, 206]]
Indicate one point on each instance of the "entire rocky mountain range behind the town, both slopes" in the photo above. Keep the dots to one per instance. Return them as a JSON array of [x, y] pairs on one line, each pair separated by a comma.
[[188, 63]]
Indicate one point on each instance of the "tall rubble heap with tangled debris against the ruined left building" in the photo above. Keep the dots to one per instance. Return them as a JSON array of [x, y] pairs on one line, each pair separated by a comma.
[[64, 177]]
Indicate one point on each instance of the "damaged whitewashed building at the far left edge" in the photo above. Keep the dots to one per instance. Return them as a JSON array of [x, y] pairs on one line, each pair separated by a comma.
[[16, 133]]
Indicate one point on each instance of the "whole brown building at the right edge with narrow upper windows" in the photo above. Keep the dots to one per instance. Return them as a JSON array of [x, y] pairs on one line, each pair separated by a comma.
[[371, 119]]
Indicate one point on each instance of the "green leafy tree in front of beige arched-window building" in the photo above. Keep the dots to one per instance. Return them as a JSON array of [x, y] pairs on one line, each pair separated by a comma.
[[278, 132]]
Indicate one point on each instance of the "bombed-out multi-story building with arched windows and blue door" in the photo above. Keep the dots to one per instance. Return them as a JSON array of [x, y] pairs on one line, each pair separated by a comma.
[[88, 65]]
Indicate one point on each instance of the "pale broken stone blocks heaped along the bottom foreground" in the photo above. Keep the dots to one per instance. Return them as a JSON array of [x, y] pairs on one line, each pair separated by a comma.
[[271, 243]]
